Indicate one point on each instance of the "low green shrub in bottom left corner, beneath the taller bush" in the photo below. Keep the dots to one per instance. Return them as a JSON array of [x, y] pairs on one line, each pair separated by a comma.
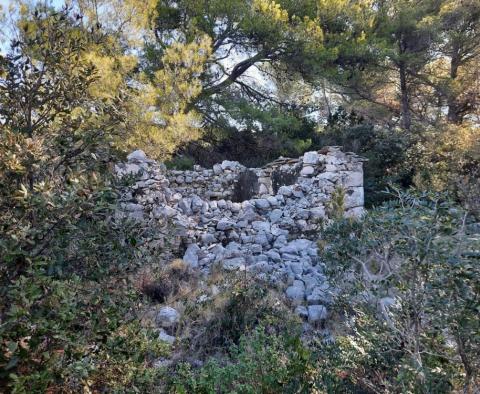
[[65, 335]]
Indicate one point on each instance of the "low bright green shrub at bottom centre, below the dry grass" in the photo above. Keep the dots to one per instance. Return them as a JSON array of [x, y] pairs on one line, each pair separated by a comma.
[[263, 362]]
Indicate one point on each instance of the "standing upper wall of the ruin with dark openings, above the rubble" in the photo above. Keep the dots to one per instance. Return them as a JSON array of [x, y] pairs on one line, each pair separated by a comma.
[[232, 181]]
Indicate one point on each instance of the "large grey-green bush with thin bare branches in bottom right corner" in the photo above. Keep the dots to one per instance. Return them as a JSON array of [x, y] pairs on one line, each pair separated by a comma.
[[408, 278]]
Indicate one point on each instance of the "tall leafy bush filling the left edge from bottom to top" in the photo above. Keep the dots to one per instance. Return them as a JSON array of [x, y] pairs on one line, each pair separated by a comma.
[[67, 308]]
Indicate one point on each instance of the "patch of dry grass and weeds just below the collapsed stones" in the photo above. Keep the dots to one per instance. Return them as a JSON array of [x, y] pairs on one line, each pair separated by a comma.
[[216, 310]]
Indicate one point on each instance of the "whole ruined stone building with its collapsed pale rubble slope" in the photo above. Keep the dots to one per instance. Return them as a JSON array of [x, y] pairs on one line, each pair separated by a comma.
[[264, 221]]
